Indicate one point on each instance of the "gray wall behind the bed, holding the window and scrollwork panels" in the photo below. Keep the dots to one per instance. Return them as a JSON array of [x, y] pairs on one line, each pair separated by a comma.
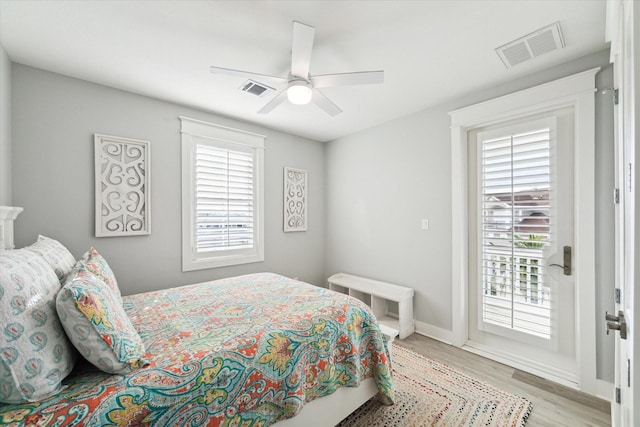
[[54, 119]]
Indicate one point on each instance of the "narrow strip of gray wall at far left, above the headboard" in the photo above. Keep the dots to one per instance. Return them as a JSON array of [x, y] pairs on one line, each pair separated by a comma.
[[5, 128]]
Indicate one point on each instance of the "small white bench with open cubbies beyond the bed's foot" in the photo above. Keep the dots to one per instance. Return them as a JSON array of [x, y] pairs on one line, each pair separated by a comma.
[[377, 295]]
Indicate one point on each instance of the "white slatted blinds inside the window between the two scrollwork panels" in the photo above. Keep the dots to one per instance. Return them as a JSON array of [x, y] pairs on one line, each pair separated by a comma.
[[224, 199]]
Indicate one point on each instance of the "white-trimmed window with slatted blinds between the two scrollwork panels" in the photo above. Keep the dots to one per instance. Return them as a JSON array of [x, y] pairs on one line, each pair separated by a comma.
[[222, 203]]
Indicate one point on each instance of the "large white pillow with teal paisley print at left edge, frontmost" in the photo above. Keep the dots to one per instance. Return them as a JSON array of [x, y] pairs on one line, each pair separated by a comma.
[[35, 354]]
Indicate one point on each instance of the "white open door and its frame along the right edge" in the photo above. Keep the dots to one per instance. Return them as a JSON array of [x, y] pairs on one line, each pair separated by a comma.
[[623, 33]]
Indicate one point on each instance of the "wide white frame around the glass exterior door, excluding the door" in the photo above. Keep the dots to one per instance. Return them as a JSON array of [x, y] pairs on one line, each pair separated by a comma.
[[577, 91]]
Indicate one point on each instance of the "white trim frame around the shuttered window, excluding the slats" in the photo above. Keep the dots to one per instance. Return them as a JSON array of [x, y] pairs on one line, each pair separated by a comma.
[[191, 128]]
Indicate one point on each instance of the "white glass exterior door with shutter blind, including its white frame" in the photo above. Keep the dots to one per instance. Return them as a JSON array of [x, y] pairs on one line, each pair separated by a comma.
[[511, 221]]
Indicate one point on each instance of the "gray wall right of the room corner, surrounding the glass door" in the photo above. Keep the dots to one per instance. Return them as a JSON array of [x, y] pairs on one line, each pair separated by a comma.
[[381, 182]]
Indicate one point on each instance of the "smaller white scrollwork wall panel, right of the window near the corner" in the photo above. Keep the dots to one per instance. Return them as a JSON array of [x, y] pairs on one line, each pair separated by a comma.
[[295, 199]]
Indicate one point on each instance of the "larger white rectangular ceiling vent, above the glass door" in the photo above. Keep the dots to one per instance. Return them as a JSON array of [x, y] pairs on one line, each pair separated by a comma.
[[538, 43]]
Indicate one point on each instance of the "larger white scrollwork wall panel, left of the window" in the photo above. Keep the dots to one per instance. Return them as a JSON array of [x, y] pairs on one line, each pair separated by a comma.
[[122, 169]]
